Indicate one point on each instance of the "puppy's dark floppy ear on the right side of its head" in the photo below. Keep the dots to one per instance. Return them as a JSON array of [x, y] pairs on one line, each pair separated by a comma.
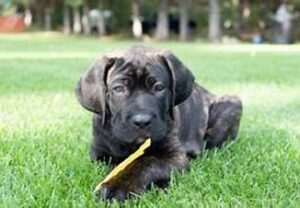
[[183, 79]]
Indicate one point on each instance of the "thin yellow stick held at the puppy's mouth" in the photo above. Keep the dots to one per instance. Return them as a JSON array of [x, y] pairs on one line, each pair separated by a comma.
[[125, 163]]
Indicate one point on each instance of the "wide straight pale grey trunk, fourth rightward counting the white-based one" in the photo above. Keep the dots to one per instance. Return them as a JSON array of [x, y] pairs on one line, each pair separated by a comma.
[[214, 21]]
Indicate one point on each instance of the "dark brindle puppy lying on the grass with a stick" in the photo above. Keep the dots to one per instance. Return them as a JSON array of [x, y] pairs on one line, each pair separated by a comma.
[[144, 92]]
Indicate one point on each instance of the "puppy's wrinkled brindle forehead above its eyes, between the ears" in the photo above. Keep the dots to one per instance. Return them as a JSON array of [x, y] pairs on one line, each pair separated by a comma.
[[139, 68]]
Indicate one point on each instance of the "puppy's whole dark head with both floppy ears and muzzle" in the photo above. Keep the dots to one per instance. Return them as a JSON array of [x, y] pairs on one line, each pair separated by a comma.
[[135, 92]]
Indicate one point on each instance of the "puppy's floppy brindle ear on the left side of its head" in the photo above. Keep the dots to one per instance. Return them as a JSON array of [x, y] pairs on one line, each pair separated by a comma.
[[91, 88]]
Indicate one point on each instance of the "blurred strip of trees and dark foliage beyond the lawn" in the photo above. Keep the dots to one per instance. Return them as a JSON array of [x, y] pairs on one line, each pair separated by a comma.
[[227, 21]]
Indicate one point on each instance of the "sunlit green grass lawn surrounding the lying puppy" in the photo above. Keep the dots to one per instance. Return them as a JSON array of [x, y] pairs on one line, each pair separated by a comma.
[[45, 134]]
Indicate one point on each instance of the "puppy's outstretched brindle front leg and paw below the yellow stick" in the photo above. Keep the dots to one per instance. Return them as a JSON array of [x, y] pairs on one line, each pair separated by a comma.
[[149, 168]]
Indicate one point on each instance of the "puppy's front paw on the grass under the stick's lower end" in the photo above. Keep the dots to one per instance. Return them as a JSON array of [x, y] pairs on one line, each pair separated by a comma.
[[117, 191]]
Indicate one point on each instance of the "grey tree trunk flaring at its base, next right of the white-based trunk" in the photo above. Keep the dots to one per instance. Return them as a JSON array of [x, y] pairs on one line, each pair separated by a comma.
[[162, 24]]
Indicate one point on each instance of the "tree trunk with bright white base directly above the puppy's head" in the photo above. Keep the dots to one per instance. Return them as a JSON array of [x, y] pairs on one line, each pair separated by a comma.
[[137, 28]]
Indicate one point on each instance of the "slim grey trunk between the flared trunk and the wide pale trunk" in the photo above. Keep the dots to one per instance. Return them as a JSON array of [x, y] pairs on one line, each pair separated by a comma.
[[184, 20]]
